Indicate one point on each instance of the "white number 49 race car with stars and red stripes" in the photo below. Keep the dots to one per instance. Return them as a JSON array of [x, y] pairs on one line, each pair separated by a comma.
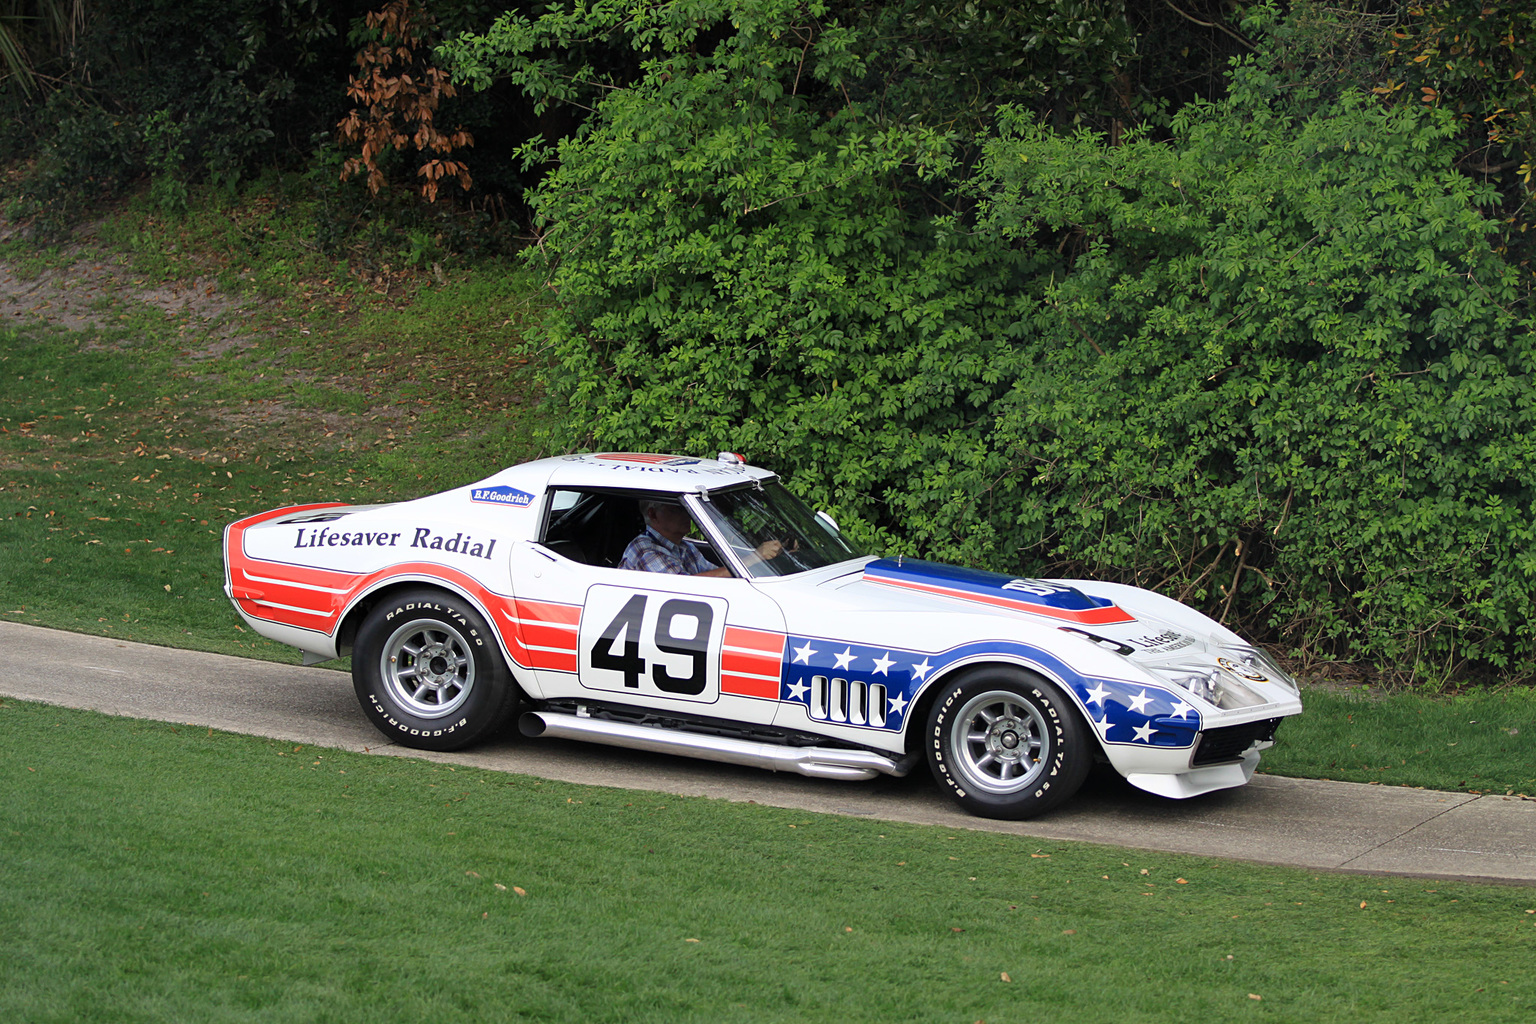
[[799, 653]]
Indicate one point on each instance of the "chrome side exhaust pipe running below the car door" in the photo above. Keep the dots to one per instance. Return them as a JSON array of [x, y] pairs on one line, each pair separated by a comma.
[[818, 762]]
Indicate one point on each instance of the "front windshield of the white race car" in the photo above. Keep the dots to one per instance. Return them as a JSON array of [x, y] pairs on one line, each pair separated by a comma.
[[750, 517]]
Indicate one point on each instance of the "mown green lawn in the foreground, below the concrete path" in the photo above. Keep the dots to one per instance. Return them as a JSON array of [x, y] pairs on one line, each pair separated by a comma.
[[151, 873]]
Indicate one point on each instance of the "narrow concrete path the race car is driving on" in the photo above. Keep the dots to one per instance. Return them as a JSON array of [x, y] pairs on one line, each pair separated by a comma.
[[1317, 825]]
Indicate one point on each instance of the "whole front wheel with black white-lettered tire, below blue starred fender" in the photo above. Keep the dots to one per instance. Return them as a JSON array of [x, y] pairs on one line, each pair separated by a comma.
[[1007, 744]]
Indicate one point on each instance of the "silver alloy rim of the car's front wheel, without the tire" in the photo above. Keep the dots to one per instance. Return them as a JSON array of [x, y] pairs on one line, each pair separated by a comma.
[[999, 742]]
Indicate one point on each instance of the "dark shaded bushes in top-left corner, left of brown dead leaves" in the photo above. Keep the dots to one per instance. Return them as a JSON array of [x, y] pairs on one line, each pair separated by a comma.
[[182, 91]]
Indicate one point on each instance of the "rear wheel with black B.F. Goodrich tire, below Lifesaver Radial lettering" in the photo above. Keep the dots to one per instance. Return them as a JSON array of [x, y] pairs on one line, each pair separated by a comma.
[[429, 673]]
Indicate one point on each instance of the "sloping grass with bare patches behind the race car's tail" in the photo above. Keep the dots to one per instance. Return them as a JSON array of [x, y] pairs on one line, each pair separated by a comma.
[[128, 446]]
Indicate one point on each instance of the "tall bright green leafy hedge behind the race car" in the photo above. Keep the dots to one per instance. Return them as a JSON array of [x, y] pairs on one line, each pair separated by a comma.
[[1265, 355]]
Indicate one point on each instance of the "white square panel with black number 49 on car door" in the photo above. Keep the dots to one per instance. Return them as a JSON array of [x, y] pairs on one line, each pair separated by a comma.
[[652, 644]]
